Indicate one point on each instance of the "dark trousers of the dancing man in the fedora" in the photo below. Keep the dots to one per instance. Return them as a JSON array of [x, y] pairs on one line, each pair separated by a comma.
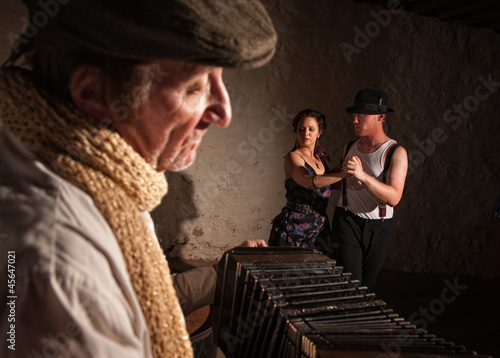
[[362, 245]]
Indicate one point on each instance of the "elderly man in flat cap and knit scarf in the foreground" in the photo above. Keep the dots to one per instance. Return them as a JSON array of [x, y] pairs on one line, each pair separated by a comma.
[[107, 96]]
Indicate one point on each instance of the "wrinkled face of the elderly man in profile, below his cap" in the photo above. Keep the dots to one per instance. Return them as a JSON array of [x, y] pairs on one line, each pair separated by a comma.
[[172, 121]]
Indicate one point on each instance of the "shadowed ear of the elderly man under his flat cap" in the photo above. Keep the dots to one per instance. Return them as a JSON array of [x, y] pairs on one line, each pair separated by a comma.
[[88, 92]]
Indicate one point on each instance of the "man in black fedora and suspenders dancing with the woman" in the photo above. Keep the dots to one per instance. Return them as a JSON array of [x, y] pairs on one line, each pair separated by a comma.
[[362, 224]]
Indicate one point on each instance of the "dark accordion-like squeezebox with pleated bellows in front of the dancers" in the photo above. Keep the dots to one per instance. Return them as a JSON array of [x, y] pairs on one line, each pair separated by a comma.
[[289, 302]]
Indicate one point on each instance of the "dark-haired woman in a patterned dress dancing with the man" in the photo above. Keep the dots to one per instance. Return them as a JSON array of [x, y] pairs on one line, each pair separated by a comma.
[[303, 221]]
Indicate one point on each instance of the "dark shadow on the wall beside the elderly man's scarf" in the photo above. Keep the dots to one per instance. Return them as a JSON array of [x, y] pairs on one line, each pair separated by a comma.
[[176, 207]]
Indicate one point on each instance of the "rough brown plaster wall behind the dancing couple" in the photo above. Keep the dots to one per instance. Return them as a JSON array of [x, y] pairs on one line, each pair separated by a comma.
[[444, 222]]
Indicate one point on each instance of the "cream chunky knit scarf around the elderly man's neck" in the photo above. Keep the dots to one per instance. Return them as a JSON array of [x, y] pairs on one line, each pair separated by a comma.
[[99, 162]]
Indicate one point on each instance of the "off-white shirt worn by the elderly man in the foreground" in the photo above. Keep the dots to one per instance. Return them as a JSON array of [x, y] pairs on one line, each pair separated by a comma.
[[72, 295]]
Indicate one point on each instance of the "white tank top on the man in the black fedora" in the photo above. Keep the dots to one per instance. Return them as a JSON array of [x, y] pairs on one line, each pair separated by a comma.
[[360, 201]]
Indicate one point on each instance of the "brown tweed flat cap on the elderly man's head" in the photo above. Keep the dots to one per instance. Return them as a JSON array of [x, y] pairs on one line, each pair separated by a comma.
[[228, 33]]
